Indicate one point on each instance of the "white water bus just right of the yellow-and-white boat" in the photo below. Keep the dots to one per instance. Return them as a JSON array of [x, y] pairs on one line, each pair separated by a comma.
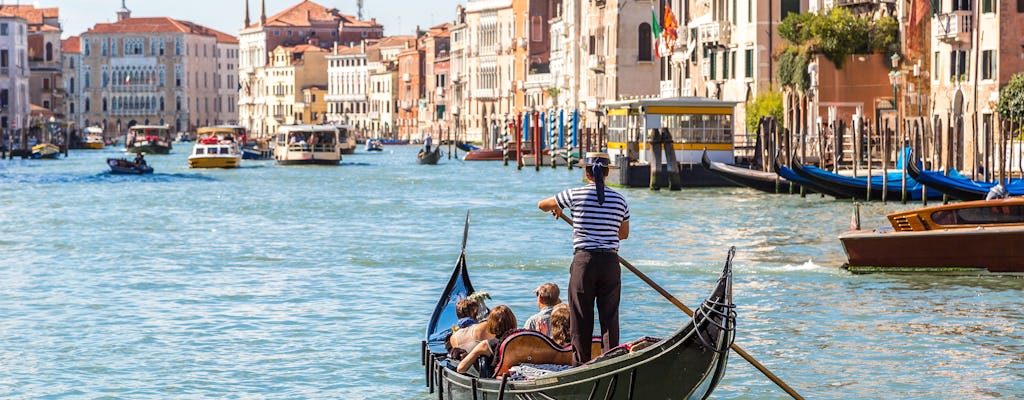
[[296, 145]]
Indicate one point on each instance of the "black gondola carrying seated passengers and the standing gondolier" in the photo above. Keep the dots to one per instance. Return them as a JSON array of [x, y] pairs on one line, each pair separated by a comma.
[[688, 365]]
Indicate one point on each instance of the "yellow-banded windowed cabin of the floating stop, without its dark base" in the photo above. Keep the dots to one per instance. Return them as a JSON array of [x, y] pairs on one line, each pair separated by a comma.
[[696, 124]]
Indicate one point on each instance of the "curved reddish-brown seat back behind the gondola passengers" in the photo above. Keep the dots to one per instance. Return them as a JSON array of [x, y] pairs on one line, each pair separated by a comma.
[[525, 346]]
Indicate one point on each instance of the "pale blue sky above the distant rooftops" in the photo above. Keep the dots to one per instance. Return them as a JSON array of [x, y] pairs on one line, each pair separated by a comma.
[[398, 17]]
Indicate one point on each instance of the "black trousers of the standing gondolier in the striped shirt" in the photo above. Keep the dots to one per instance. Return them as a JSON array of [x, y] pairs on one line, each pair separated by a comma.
[[594, 278]]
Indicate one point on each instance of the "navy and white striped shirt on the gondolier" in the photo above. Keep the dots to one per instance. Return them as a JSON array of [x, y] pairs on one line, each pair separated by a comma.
[[594, 227]]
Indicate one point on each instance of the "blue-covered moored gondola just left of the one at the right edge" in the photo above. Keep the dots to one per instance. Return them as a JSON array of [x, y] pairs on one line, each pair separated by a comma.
[[858, 188]]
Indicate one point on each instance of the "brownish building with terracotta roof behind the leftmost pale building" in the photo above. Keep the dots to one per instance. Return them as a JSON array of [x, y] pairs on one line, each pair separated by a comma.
[[44, 28]]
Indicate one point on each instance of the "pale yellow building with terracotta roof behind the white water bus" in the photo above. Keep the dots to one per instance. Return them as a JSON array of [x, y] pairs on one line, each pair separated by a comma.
[[292, 70]]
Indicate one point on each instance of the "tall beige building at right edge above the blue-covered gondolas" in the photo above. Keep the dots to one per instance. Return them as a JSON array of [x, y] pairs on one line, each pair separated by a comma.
[[975, 50]]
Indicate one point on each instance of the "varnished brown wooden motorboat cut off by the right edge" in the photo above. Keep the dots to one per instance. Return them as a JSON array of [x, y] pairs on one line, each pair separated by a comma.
[[963, 238]]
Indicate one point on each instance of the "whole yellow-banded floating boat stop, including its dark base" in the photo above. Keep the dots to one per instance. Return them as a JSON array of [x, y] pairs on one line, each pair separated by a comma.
[[694, 123]]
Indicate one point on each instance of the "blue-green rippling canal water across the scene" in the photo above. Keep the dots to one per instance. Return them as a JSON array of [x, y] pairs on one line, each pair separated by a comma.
[[270, 282]]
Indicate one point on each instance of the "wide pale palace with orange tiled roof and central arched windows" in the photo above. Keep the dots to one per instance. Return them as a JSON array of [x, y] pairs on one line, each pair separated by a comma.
[[155, 71]]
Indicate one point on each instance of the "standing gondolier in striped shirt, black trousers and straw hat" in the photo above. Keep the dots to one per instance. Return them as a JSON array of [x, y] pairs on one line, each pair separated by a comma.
[[601, 220]]
